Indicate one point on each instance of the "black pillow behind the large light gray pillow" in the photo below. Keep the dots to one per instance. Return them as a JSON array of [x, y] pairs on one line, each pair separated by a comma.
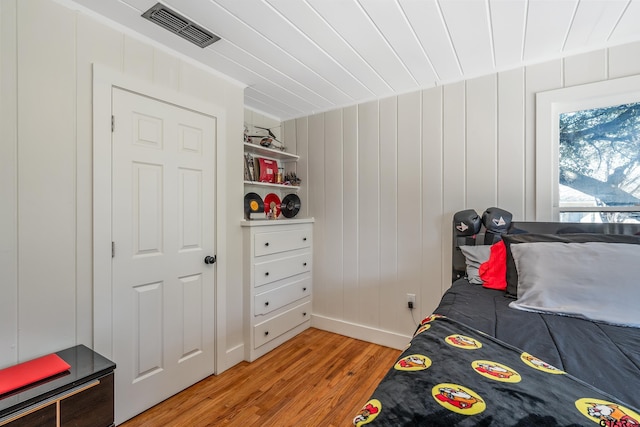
[[510, 239]]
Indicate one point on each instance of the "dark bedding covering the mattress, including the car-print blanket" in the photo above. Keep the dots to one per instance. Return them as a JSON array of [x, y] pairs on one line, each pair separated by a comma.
[[477, 362]]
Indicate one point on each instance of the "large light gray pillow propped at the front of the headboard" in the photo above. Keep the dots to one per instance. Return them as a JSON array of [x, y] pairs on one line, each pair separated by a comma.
[[592, 280]]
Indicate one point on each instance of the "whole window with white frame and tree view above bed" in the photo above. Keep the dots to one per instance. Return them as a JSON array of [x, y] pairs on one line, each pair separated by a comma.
[[588, 152]]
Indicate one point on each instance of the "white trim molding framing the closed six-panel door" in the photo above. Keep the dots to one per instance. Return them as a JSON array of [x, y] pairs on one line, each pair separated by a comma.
[[104, 79]]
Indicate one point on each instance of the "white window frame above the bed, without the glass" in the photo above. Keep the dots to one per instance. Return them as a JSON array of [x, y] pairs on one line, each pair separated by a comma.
[[549, 106]]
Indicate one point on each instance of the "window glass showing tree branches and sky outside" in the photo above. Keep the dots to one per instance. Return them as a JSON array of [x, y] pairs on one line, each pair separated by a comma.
[[599, 164]]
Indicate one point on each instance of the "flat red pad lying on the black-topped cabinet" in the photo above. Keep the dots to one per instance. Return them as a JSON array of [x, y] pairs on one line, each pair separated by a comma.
[[26, 373]]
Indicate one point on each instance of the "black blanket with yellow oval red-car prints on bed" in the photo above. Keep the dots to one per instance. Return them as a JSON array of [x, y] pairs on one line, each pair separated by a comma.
[[454, 375]]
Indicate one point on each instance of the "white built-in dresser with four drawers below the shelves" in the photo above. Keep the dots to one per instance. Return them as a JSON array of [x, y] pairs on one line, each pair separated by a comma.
[[277, 282]]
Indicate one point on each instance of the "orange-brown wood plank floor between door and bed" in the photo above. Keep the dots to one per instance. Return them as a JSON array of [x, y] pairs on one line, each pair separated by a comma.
[[316, 379]]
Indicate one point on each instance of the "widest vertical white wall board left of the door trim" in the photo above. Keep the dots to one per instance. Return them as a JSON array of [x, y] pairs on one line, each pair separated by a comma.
[[46, 177]]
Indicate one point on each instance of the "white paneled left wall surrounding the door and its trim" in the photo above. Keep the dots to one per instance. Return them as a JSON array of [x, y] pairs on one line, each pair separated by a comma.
[[46, 170]]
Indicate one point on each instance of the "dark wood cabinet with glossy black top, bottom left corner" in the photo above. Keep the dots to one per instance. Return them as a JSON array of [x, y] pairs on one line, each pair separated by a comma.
[[80, 397]]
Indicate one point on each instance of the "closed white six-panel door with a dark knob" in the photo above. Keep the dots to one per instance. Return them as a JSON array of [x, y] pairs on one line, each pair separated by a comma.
[[163, 228]]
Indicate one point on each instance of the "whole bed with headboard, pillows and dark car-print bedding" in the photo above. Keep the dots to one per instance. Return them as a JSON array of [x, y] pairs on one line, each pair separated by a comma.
[[540, 327]]
